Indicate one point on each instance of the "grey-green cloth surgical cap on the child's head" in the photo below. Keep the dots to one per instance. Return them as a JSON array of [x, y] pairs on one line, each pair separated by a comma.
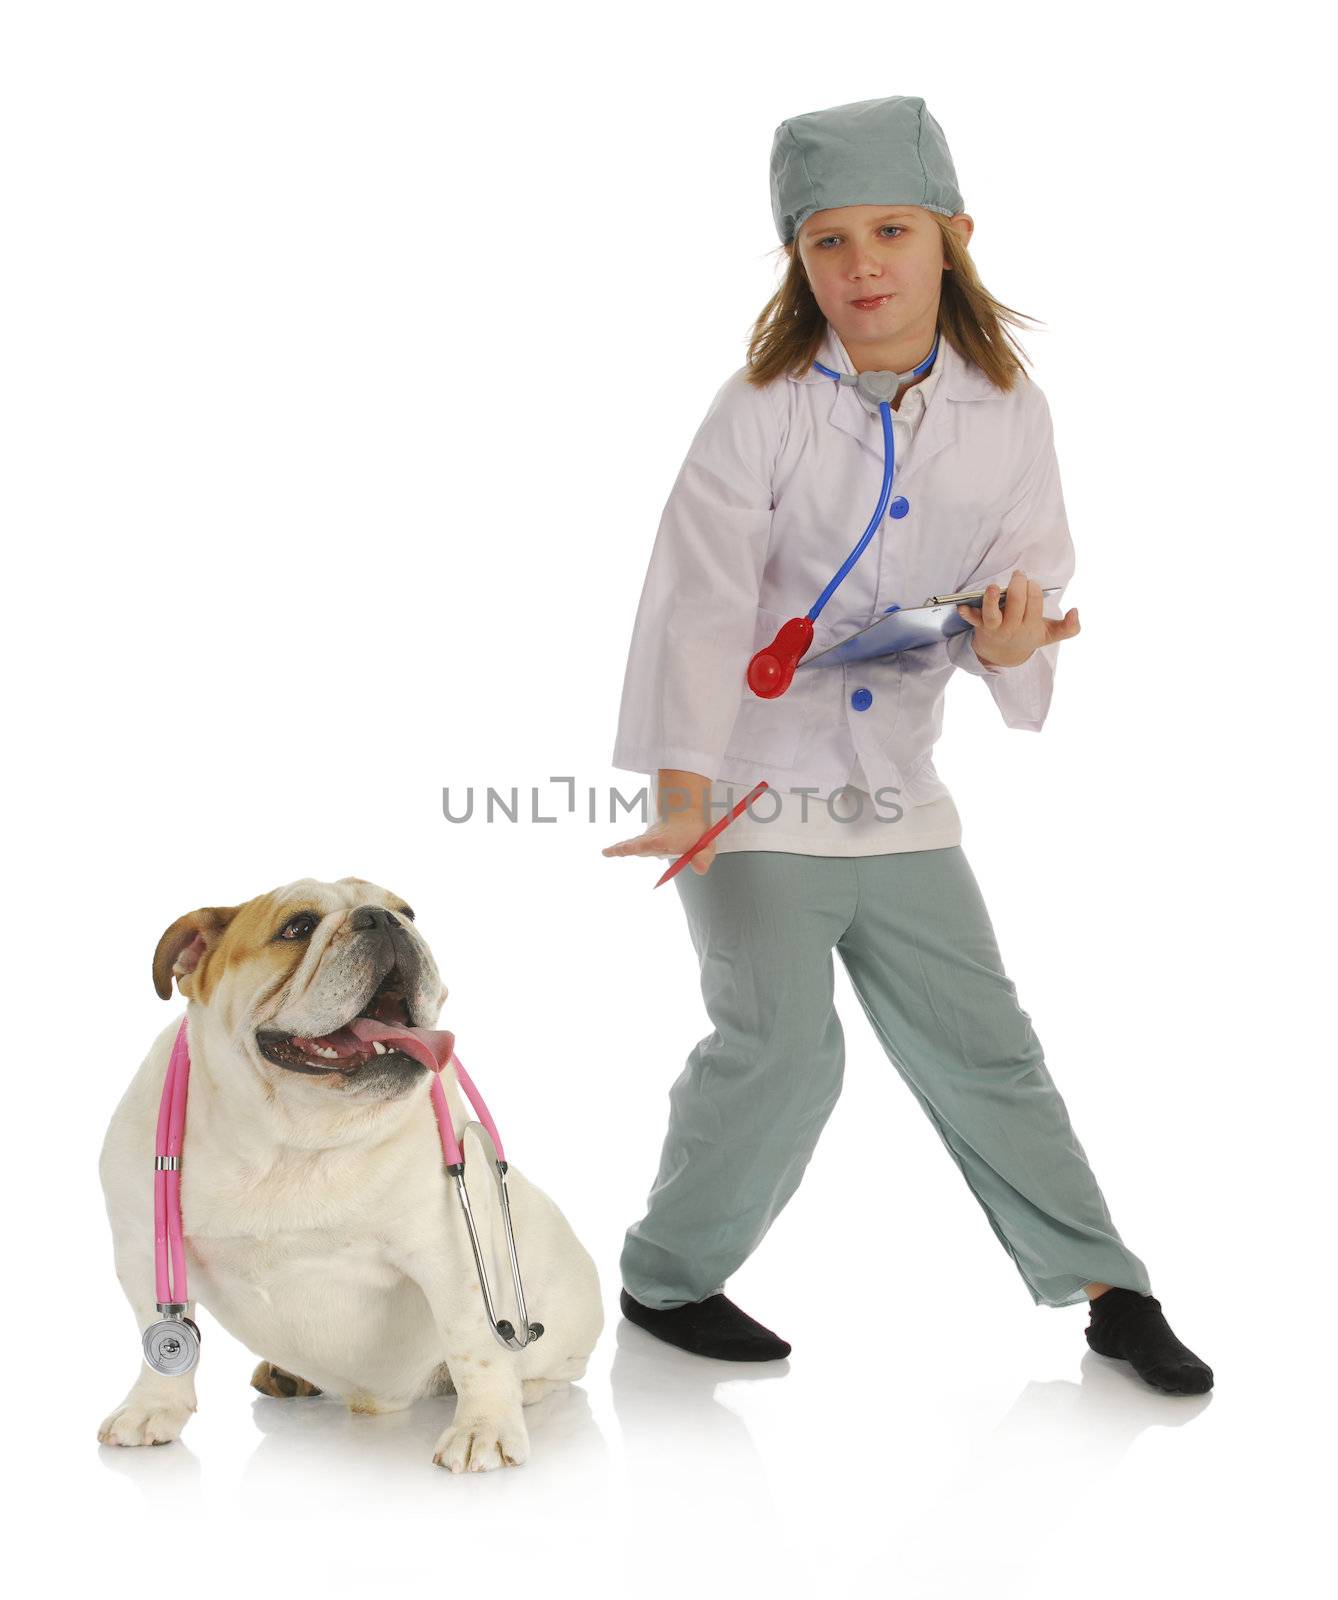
[[870, 153]]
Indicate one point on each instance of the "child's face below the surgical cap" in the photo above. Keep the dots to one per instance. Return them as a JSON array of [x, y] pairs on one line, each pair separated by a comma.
[[859, 252]]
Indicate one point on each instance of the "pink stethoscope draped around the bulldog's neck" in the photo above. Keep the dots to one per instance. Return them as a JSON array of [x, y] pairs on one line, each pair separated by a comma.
[[172, 1346]]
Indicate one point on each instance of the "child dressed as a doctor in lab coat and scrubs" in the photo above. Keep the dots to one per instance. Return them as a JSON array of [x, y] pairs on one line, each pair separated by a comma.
[[860, 847]]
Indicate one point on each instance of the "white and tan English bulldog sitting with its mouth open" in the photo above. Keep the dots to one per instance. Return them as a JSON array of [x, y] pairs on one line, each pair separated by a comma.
[[321, 1225]]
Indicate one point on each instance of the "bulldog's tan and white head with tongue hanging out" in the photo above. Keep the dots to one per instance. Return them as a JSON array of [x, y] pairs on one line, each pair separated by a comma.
[[287, 974]]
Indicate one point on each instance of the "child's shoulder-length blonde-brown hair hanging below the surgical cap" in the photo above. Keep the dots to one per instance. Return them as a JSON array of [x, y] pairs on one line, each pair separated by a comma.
[[791, 326]]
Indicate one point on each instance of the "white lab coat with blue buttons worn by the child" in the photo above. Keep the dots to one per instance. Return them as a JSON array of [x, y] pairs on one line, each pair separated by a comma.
[[777, 487]]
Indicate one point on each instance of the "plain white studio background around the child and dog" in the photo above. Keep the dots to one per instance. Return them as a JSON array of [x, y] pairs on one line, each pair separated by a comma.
[[350, 354]]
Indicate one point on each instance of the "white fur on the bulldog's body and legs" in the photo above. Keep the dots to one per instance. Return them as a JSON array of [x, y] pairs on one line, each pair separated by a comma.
[[324, 1234]]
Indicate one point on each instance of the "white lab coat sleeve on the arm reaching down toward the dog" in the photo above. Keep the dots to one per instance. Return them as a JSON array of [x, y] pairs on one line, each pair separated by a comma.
[[694, 631]]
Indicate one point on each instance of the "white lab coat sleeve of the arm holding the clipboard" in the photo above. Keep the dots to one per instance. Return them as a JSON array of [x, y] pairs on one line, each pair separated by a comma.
[[1033, 537]]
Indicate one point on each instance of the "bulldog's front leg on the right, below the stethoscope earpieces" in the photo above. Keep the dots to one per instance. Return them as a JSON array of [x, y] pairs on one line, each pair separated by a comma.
[[489, 1430]]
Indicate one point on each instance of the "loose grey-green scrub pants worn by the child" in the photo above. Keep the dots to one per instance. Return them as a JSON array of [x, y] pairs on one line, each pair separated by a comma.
[[751, 1103]]
